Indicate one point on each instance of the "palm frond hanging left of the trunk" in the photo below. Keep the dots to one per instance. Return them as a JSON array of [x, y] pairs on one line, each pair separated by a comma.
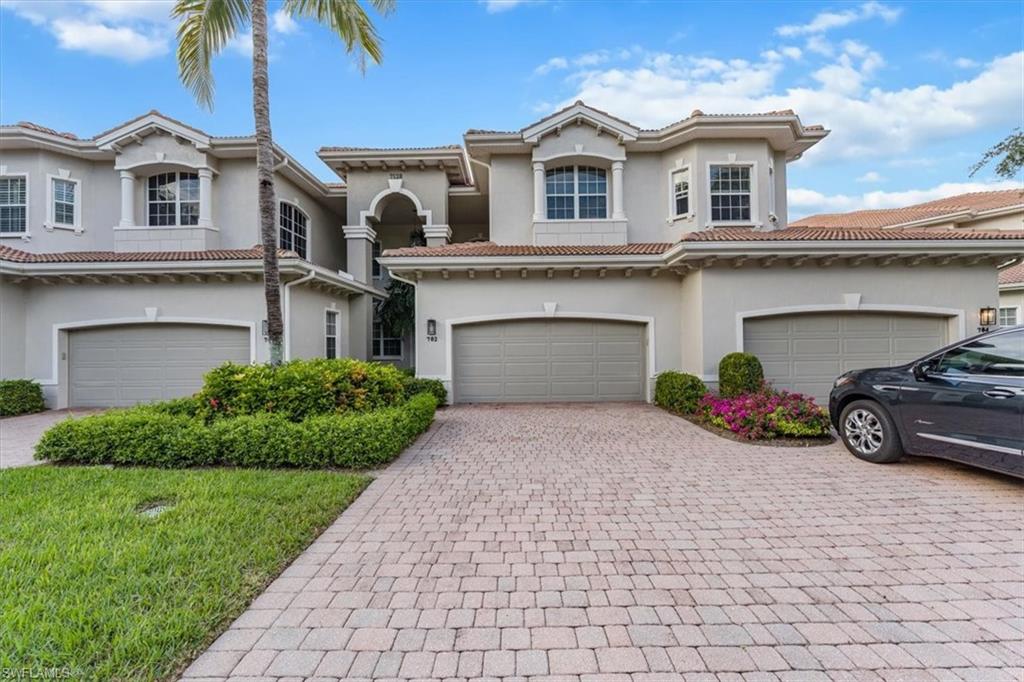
[[206, 26]]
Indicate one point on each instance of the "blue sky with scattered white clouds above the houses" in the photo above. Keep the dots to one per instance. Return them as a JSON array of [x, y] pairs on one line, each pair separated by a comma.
[[914, 93]]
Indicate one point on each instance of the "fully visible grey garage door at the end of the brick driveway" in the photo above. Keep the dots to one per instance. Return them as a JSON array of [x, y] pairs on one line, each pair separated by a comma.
[[534, 361]]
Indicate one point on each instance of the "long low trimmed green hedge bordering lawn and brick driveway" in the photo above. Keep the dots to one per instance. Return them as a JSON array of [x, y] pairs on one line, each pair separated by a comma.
[[146, 437]]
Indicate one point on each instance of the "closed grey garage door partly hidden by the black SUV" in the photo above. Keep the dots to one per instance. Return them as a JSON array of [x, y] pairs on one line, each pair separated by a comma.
[[806, 353]]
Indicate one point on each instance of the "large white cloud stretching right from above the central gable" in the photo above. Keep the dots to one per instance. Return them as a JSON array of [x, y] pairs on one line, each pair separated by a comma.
[[867, 121]]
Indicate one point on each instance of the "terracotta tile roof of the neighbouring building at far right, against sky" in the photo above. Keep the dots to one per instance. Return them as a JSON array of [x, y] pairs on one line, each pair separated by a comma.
[[977, 201]]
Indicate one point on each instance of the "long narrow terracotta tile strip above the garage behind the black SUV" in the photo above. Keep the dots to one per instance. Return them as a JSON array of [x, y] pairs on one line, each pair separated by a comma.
[[840, 235]]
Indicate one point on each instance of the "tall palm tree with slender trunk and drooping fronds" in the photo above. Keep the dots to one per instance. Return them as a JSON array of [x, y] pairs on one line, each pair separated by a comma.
[[206, 27]]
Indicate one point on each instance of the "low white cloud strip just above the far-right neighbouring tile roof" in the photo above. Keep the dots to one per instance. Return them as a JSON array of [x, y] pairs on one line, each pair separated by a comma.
[[807, 202]]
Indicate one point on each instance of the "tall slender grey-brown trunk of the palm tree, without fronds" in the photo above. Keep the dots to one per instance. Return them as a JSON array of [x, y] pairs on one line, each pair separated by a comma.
[[265, 176]]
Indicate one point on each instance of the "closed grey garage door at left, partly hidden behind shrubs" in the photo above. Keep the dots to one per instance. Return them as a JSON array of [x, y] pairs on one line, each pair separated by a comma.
[[122, 366]]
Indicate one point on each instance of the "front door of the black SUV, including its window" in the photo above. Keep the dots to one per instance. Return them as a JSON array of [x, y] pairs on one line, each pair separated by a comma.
[[970, 407]]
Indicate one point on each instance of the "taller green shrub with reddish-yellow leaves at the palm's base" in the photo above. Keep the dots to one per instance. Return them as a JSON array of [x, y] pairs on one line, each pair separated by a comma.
[[301, 389]]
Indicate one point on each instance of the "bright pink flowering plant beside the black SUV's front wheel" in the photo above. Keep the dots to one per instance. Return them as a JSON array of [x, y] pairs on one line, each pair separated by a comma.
[[766, 414]]
